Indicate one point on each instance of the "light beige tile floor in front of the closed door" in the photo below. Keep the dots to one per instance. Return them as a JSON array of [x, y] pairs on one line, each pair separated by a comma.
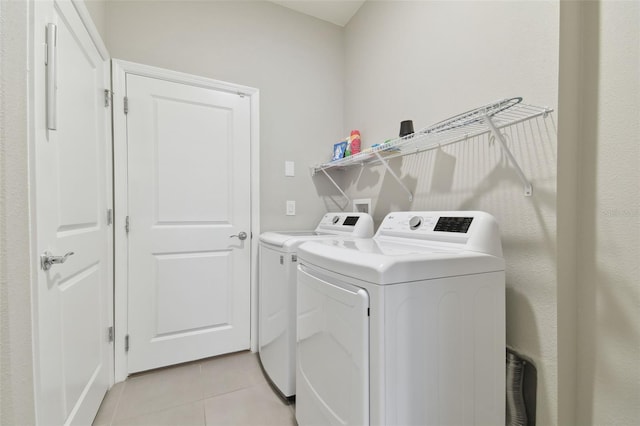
[[226, 390]]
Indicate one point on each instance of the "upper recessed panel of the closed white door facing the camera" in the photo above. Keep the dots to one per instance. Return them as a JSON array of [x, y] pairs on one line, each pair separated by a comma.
[[179, 200]]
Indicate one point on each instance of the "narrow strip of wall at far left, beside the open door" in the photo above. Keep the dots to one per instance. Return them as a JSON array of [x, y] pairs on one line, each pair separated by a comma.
[[16, 364]]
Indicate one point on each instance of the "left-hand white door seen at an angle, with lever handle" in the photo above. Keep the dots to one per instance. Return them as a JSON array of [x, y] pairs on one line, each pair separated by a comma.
[[72, 301]]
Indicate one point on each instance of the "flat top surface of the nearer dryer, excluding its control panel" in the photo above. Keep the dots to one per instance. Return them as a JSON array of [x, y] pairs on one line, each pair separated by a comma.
[[386, 262]]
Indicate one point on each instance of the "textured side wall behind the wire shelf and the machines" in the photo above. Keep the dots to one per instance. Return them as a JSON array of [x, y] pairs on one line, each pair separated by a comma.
[[426, 61]]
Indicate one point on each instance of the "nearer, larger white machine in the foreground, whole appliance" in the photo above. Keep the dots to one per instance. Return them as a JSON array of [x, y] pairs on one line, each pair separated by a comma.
[[406, 328]]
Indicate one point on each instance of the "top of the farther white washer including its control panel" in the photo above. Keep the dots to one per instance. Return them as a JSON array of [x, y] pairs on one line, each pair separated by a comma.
[[356, 225]]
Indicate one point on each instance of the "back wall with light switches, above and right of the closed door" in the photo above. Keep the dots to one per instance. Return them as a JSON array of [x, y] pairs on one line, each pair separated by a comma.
[[294, 60]]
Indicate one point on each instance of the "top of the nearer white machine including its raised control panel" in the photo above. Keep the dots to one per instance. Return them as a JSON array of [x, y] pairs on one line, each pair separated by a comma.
[[414, 246]]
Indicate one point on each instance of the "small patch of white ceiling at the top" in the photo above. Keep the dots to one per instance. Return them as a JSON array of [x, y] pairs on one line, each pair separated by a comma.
[[337, 12]]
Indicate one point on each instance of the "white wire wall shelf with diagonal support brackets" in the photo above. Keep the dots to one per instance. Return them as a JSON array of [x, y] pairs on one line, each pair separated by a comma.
[[488, 118]]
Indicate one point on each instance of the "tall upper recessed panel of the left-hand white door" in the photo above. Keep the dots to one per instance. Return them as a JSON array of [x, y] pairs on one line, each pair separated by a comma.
[[80, 136]]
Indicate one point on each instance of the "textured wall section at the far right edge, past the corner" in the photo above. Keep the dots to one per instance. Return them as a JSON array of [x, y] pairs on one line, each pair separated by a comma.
[[608, 277]]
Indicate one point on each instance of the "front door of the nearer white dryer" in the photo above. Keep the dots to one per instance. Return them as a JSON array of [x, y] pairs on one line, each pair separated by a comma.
[[332, 379]]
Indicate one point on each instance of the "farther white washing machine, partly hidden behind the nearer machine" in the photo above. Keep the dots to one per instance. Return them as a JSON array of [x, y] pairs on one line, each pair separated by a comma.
[[277, 291]]
